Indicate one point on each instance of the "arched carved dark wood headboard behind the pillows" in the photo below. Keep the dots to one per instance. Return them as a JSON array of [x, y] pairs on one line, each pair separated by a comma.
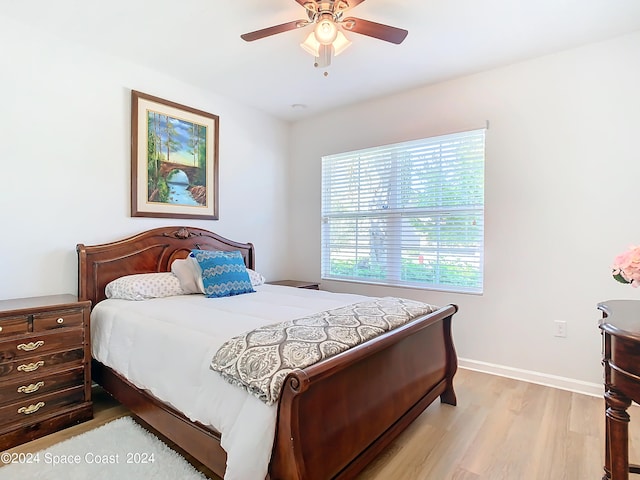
[[148, 252]]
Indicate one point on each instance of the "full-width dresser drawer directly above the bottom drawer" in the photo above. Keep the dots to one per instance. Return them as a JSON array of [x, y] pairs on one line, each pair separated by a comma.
[[34, 386]]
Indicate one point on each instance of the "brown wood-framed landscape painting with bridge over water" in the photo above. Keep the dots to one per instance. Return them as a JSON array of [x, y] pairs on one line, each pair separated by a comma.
[[174, 160]]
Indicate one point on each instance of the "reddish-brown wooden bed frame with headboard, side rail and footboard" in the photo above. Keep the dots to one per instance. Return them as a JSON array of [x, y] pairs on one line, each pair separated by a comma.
[[334, 417]]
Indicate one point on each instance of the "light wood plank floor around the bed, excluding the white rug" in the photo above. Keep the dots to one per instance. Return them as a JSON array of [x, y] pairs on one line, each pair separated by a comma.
[[501, 429]]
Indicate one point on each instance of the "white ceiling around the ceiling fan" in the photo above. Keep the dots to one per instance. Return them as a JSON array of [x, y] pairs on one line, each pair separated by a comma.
[[198, 42]]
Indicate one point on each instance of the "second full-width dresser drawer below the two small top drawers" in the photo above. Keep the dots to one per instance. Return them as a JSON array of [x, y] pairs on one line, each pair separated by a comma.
[[42, 364]]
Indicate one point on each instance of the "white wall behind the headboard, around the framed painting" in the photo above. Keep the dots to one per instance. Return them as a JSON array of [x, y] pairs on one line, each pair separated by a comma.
[[65, 156]]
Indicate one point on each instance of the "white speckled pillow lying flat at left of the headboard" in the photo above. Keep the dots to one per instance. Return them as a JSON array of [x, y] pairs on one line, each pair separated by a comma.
[[143, 286]]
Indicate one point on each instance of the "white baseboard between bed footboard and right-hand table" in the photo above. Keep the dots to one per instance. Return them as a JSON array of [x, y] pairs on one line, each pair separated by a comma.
[[578, 386]]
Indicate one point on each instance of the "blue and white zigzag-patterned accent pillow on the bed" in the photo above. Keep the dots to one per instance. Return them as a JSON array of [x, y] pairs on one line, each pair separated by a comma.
[[223, 273]]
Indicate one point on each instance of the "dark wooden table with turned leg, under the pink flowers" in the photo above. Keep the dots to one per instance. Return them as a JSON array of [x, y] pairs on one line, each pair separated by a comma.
[[620, 327]]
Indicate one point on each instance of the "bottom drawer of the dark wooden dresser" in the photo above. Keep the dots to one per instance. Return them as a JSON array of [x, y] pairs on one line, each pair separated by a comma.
[[34, 407]]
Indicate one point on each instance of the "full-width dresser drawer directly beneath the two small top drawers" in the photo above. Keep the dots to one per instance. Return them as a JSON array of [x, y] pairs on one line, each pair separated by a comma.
[[23, 347]]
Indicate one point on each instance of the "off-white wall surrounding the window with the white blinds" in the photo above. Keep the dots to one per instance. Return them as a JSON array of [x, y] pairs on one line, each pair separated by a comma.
[[562, 170]]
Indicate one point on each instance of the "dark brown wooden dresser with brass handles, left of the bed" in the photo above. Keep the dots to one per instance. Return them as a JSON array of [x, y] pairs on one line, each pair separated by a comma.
[[45, 366]]
